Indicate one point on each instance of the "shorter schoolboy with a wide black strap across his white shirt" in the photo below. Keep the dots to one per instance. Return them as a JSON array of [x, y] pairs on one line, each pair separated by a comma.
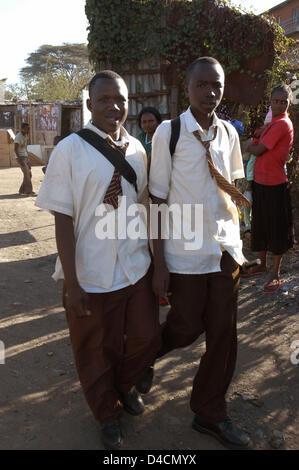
[[111, 310]]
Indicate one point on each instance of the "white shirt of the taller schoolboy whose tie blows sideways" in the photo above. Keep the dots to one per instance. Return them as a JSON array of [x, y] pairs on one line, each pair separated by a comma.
[[185, 178]]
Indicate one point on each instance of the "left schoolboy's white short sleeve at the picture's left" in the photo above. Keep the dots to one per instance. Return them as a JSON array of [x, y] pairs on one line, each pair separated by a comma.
[[56, 191]]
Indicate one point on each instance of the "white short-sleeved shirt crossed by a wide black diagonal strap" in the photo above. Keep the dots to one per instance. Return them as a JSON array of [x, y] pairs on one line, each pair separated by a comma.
[[75, 184]]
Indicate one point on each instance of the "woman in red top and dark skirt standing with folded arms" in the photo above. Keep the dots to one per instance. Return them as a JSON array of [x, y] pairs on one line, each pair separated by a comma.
[[271, 228]]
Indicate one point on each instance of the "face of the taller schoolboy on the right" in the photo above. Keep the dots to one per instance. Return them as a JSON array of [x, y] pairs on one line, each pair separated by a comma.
[[205, 88]]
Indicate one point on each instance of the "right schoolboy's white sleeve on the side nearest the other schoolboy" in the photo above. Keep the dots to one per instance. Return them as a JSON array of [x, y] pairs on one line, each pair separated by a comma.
[[161, 162]]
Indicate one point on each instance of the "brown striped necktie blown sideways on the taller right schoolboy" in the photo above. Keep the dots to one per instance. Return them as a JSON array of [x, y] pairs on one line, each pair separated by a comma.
[[222, 182]]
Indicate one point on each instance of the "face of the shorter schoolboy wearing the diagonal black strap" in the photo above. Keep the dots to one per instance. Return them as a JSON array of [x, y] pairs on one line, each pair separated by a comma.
[[108, 104]]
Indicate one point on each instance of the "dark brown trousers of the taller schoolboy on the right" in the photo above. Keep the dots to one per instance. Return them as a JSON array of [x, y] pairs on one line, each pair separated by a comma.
[[206, 302]]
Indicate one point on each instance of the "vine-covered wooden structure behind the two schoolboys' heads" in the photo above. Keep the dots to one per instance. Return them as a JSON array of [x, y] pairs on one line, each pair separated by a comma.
[[158, 78]]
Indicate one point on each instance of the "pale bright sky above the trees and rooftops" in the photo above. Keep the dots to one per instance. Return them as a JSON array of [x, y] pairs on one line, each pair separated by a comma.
[[28, 24]]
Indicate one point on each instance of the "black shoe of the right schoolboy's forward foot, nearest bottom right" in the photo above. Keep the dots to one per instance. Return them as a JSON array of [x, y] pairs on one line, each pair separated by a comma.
[[226, 433]]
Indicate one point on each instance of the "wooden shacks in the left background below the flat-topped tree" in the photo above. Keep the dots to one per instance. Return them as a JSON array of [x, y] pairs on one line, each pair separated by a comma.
[[46, 120]]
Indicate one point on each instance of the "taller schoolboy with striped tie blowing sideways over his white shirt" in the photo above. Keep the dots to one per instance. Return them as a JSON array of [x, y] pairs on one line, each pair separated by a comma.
[[203, 281]]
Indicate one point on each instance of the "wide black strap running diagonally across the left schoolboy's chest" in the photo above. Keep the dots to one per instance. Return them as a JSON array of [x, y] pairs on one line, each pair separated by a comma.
[[114, 156]]
